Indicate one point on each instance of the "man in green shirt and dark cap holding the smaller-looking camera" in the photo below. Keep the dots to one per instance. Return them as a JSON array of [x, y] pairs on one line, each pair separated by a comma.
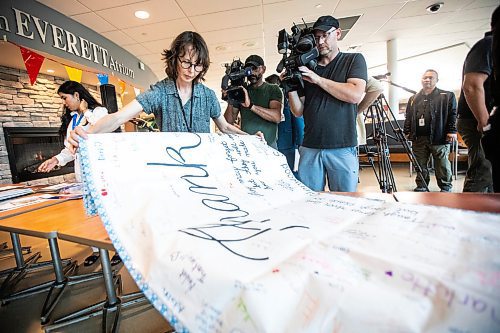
[[261, 110]]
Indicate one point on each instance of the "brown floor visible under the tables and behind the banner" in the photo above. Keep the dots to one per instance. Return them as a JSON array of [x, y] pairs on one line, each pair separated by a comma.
[[24, 315]]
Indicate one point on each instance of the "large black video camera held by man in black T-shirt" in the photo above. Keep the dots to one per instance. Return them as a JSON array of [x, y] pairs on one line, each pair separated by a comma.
[[303, 52]]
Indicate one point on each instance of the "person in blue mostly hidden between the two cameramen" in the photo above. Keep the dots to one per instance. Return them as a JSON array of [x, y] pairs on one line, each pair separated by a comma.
[[290, 130]]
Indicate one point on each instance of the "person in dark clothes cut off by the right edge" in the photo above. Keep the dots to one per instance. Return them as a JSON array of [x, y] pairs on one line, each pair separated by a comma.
[[474, 106]]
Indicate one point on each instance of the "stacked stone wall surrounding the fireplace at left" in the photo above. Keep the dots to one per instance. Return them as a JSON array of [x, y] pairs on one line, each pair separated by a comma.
[[24, 105]]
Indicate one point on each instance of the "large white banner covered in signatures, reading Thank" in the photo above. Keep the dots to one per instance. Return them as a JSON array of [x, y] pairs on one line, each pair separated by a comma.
[[220, 237]]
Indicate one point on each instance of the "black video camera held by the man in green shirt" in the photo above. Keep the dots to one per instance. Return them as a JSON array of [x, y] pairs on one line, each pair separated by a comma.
[[236, 73]]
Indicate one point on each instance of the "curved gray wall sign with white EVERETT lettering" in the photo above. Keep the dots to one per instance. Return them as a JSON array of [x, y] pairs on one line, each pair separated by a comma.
[[36, 26]]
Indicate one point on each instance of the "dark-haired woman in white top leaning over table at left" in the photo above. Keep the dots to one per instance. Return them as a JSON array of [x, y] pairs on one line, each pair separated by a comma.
[[80, 109]]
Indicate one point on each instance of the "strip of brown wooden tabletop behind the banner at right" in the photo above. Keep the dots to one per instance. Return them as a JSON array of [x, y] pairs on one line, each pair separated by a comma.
[[469, 201]]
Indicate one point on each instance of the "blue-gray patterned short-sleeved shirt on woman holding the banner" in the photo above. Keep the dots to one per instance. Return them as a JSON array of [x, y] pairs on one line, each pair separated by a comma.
[[163, 101]]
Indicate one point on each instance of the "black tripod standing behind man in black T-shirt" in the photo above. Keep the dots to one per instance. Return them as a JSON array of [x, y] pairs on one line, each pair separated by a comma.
[[379, 112]]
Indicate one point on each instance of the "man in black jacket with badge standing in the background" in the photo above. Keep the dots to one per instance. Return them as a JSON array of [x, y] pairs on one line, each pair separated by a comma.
[[430, 124]]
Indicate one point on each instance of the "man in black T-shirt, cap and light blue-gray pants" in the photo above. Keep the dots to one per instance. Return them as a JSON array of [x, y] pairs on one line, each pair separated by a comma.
[[329, 107]]
